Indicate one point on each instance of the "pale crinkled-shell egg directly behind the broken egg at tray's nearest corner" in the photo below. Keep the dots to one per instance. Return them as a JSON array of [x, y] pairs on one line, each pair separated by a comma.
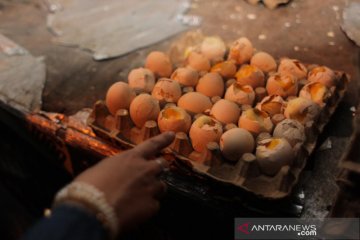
[[291, 130]]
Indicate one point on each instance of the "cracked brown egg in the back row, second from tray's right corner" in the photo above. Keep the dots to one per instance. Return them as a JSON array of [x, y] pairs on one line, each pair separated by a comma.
[[292, 67]]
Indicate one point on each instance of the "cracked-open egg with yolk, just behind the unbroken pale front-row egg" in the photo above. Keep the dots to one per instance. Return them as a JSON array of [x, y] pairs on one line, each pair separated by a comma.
[[255, 121]]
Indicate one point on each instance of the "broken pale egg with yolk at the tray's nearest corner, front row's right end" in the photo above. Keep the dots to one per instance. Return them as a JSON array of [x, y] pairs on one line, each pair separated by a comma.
[[272, 154]]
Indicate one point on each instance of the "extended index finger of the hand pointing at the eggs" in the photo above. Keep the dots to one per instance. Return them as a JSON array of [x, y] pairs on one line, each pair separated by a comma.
[[154, 145]]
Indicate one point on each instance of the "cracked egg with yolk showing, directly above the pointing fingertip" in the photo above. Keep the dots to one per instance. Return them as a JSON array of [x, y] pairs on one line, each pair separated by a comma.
[[174, 119]]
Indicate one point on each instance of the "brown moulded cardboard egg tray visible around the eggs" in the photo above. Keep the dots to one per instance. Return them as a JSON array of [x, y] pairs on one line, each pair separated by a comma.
[[245, 173]]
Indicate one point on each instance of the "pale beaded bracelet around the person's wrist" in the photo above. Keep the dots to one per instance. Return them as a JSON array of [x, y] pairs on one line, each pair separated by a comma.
[[93, 200]]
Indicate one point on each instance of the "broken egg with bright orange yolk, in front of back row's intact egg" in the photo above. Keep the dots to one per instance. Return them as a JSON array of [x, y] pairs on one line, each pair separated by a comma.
[[250, 75]]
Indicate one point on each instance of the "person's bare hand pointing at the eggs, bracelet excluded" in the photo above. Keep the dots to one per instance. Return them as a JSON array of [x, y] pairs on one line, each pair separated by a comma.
[[130, 181]]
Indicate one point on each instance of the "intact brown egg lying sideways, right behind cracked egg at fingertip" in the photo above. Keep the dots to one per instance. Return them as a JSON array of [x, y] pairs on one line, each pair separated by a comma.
[[194, 102]]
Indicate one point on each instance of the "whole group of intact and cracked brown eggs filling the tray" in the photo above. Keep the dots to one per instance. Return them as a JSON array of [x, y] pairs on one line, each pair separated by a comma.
[[232, 96]]
